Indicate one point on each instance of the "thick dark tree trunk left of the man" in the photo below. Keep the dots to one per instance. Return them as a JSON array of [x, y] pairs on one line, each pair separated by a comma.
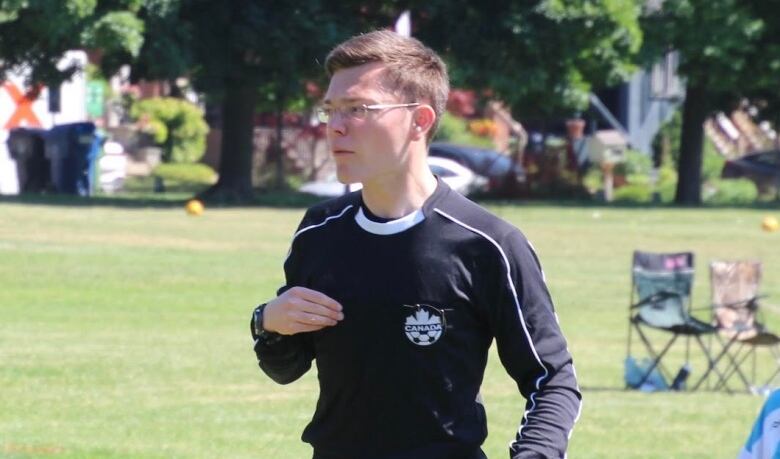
[[235, 162]]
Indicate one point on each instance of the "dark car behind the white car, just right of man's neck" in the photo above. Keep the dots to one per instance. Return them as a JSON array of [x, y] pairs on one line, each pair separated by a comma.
[[488, 163]]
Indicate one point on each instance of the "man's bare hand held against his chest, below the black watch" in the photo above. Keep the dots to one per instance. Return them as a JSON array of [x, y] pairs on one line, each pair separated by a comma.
[[300, 309]]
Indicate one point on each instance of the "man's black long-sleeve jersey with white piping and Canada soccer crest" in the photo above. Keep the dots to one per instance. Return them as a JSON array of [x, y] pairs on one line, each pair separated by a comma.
[[423, 298]]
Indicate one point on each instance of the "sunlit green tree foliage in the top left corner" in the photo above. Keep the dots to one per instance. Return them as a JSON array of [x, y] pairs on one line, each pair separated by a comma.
[[35, 34]]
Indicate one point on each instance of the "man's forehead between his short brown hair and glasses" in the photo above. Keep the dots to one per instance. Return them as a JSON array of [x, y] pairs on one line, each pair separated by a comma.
[[363, 82]]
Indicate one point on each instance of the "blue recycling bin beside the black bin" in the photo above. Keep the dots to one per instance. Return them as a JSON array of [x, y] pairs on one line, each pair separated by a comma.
[[72, 150]]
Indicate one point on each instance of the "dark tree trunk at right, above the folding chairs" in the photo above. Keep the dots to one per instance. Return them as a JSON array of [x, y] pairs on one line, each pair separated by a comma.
[[691, 146]]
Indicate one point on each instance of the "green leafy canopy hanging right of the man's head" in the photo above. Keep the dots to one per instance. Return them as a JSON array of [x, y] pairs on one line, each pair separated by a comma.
[[542, 57]]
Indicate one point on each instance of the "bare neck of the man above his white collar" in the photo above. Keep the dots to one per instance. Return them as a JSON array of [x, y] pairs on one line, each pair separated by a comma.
[[397, 195]]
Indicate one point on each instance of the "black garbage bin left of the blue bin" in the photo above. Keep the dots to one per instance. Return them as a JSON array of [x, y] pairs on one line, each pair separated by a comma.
[[27, 147]]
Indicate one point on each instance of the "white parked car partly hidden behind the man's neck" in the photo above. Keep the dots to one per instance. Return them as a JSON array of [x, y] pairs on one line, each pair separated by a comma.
[[459, 178]]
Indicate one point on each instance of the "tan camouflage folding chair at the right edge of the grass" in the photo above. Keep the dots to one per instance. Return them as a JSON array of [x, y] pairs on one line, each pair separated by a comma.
[[735, 312]]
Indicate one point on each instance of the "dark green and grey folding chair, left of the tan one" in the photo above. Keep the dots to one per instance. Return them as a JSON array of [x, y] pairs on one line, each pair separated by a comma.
[[660, 300]]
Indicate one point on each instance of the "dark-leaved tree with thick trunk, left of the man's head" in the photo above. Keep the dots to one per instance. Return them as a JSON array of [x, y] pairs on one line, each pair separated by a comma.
[[244, 53]]
